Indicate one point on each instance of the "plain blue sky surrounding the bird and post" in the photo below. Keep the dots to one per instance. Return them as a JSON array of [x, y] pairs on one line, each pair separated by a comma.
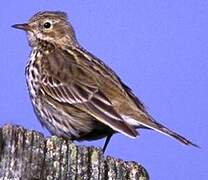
[[159, 48]]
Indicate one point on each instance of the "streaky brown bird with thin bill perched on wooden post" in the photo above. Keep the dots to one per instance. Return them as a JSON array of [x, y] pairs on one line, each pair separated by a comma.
[[74, 94]]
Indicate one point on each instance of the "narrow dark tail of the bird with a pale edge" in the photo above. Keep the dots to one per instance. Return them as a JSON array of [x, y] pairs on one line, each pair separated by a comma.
[[152, 124]]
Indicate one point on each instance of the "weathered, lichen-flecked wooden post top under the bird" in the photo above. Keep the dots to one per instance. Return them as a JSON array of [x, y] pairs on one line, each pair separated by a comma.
[[27, 155]]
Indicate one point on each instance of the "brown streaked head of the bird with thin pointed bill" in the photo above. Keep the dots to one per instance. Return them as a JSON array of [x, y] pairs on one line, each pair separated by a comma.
[[50, 26]]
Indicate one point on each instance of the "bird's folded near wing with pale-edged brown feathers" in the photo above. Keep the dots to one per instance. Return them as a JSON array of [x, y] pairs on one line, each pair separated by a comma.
[[66, 82]]
